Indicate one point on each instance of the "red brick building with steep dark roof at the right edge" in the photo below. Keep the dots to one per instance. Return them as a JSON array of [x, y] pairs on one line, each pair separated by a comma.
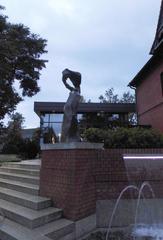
[[148, 83]]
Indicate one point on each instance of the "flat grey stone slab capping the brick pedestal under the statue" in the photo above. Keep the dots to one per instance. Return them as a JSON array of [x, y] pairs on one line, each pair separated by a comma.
[[73, 145]]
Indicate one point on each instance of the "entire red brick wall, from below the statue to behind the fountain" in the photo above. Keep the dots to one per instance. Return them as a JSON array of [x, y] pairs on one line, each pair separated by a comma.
[[76, 179]]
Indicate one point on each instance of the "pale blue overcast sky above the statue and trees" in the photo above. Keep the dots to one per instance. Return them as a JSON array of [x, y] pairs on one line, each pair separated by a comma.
[[108, 41]]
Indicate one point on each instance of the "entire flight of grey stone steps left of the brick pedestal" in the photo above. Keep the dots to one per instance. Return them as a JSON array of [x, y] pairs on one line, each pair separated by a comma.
[[28, 215]]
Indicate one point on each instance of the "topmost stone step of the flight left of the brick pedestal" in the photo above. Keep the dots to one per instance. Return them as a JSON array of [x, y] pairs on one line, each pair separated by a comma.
[[23, 164]]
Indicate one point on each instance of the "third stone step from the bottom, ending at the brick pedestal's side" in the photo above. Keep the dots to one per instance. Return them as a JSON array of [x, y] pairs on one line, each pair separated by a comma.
[[24, 199]]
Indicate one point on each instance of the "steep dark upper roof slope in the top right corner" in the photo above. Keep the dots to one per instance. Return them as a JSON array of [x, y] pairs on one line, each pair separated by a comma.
[[159, 32]]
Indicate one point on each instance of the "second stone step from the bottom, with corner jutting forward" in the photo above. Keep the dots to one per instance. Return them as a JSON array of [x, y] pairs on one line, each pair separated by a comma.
[[28, 217]]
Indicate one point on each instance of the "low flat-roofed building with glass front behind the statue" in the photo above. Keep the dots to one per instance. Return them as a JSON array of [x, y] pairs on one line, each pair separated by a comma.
[[51, 116]]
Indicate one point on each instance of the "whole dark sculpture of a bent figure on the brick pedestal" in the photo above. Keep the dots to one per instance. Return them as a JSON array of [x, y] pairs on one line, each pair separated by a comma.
[[70, 132]]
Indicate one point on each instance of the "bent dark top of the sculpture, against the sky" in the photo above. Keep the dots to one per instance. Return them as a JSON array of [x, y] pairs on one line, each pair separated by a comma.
[[75, 77]]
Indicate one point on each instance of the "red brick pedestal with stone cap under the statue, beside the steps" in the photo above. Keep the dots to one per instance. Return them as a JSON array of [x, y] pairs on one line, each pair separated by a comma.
[[67, 176]]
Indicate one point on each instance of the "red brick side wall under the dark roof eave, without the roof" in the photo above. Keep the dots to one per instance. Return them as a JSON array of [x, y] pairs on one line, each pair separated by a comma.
[[150, 99]]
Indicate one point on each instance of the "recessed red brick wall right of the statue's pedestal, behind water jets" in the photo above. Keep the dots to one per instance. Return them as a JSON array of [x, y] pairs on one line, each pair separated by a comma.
[[112, 177]]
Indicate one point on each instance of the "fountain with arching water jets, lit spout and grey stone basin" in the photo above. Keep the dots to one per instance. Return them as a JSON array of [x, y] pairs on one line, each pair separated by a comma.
[[139, 217]]
